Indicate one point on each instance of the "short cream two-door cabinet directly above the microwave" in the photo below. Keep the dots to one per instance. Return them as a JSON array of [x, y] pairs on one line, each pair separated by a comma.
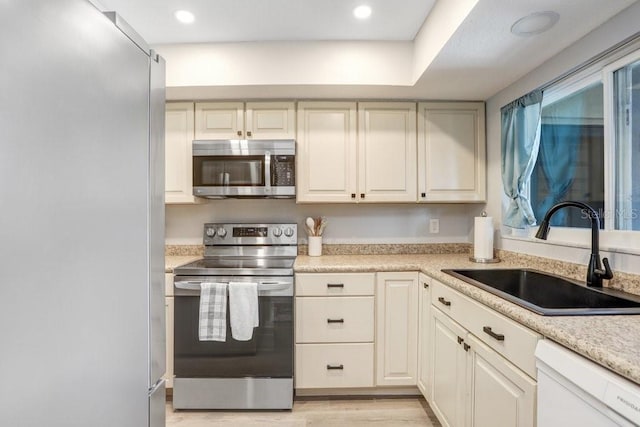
[[239, 120]]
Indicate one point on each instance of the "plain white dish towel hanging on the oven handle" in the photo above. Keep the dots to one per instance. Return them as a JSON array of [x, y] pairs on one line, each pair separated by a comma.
[[243, 309]]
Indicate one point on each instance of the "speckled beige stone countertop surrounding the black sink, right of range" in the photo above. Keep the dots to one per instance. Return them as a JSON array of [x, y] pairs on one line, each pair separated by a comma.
[[611, 341]]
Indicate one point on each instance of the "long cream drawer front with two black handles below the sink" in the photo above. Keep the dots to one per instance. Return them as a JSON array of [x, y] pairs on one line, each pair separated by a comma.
[[512, 340]]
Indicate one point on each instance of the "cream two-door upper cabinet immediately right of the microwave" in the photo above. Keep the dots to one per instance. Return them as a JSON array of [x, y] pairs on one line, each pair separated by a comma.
[[341, 162]]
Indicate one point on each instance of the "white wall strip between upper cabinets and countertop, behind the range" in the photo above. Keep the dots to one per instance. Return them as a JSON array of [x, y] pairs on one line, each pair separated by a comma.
[[380, 223]]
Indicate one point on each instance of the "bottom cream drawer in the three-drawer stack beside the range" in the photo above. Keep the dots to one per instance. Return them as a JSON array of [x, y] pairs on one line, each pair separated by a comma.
[[334, 365]]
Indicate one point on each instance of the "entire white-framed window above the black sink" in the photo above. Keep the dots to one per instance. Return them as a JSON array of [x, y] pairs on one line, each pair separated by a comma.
[[588, 146]]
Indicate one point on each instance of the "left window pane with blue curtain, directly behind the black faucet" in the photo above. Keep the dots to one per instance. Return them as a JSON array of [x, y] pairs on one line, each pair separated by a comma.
[[570, 162]]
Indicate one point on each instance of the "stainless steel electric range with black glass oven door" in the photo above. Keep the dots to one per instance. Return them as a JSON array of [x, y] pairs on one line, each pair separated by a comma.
[[255, 374]]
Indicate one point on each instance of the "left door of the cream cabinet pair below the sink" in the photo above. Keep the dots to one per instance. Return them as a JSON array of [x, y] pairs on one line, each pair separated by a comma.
[[448, 370]]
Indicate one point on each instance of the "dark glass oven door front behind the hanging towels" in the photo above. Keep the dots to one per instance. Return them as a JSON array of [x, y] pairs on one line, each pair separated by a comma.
[[268, 354]]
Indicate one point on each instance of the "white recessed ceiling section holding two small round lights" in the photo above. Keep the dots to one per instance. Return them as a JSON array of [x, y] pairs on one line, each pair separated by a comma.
[[269, 20]]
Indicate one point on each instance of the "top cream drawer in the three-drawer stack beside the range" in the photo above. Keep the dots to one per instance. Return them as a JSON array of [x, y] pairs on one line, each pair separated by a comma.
[[334, 284]]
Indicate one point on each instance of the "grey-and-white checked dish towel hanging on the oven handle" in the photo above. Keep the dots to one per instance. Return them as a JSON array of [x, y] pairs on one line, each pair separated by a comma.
[[213, 312]]
